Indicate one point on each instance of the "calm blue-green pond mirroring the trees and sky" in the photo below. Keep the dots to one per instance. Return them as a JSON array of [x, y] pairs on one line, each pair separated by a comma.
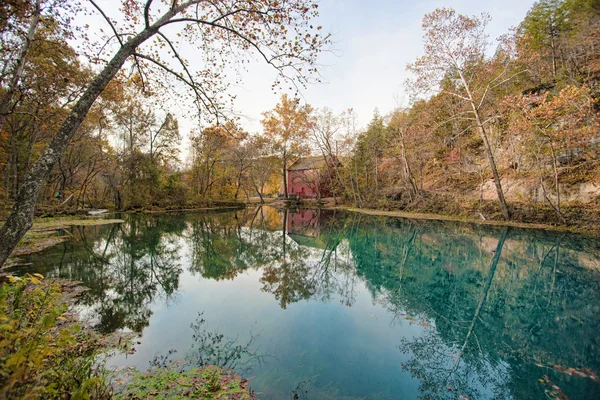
[[327, 305]]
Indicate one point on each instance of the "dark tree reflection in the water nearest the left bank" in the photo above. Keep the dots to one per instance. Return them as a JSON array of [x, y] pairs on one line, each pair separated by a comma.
[[125, 266]]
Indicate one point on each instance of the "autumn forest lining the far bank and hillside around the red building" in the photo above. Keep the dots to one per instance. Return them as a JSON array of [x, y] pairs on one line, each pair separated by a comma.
[[494, 129]]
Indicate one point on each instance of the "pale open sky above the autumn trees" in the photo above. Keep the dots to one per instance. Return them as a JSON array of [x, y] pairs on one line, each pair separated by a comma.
[[374, 40]]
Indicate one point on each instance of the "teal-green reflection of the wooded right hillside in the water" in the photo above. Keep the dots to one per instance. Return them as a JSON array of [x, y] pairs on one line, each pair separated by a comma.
[[496, 317]]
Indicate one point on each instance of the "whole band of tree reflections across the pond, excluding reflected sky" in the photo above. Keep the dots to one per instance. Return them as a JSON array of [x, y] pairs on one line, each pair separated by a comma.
[[498, 309]]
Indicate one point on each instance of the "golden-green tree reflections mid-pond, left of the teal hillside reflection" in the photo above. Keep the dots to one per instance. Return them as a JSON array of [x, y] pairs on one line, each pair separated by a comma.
[[295, 266]]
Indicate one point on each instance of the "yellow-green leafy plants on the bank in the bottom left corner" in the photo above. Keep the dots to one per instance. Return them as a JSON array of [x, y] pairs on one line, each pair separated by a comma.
[[43, 353]]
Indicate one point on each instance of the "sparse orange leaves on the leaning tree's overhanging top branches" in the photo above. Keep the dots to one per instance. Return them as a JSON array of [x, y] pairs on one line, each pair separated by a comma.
[[229, 32]]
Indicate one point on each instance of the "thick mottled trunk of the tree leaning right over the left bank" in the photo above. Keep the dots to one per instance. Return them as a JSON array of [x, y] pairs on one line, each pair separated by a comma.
[[21, 216]]
